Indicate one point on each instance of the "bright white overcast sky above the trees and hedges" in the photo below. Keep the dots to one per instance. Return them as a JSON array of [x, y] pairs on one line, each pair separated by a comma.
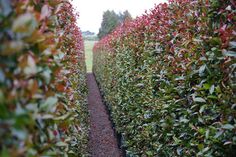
[[91, 11]]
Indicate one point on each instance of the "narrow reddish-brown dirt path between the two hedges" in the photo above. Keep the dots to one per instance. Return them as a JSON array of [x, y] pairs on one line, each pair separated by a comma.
[[102, 141]]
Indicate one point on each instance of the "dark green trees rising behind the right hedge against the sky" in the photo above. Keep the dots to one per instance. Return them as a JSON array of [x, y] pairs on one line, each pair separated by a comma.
[[111, 20]]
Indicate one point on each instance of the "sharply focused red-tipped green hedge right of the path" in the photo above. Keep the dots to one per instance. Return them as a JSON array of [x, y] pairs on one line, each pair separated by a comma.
[[169, 79]]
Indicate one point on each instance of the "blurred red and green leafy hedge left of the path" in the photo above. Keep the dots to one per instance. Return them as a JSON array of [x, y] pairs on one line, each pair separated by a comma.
[[42, 80]]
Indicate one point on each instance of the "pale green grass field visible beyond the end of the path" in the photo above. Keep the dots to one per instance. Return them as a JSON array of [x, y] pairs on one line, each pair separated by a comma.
[[88, 45]]
